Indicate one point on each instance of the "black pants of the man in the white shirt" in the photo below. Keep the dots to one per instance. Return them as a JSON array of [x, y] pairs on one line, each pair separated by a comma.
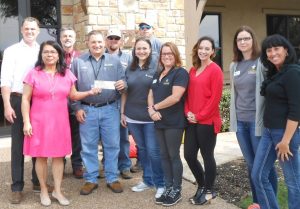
[[17, 141]]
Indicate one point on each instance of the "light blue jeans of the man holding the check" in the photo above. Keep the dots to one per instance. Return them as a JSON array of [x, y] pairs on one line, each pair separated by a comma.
[[105, 122]]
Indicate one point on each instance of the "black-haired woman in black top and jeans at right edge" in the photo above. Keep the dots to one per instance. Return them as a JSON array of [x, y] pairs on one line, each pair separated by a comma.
[[281, 137]]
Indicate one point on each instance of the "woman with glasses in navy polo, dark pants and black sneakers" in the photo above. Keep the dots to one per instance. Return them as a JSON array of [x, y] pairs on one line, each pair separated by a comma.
[[166, 107]]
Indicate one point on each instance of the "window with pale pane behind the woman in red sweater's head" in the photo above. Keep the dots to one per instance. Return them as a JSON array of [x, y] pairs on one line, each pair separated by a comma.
[[210, 25]]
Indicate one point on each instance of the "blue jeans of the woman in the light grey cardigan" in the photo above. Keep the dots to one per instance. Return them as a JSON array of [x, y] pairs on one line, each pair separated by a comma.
[[248, 143]]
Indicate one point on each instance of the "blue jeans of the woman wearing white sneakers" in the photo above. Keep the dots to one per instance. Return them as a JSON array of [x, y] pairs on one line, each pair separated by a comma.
[[149, 153]]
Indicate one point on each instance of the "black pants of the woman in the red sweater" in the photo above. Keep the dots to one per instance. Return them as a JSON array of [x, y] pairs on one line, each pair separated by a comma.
[[203, 137]]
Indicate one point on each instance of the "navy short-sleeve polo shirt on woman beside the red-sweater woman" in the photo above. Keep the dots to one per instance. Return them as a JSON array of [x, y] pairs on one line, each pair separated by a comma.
[[173, 116]]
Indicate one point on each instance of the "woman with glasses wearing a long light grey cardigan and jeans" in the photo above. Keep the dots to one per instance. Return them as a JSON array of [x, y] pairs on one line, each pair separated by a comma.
[[246, 106]]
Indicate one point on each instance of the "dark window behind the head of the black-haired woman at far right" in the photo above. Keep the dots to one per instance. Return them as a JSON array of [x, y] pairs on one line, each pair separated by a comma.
[[286, 25]]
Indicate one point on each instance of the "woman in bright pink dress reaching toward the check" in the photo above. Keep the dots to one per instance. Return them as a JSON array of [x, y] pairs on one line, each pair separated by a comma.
[[45, 113]]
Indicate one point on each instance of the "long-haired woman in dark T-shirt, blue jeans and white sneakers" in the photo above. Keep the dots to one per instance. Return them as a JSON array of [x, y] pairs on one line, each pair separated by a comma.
[[134, 114]]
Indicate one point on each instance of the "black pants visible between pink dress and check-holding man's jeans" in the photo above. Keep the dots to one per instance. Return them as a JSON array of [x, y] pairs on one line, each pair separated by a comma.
[[76, 142]]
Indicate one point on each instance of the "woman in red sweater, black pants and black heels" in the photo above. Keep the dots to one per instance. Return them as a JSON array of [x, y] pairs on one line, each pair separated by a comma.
[[202, 112]]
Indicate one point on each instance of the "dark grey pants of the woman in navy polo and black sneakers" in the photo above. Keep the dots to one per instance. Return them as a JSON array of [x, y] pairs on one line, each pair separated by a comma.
[[169, 142]]
